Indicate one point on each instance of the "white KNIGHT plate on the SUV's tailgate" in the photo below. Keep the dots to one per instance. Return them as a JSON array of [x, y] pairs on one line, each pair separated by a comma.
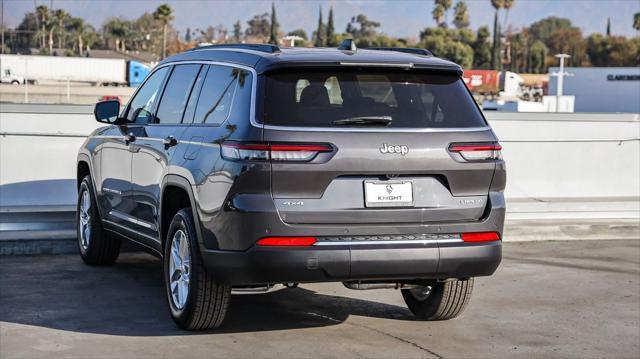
[[388, 193]]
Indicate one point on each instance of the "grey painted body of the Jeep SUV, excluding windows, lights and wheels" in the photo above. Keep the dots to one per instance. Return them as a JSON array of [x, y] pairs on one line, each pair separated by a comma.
[[237, 203]]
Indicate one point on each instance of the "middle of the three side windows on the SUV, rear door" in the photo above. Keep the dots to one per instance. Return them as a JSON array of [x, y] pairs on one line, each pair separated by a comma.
[[176, 93]]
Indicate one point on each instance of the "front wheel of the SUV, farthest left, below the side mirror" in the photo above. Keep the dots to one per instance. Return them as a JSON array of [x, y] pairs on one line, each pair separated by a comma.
[[96, 247]]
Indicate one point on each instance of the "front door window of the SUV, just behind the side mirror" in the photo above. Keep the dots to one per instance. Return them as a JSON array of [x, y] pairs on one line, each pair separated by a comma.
[[141, 108]]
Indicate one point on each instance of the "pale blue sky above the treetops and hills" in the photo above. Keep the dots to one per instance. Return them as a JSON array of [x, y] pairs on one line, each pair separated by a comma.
[[403, 18]]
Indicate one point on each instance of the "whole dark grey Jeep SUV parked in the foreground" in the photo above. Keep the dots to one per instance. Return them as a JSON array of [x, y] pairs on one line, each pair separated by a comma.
[[249, 166]]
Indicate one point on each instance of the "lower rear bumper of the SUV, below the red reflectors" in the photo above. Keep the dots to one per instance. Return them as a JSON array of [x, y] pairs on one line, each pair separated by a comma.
[[262, 265]]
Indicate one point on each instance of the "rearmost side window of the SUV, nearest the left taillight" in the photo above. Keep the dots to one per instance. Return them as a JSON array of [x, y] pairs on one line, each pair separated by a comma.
[[217, 94]]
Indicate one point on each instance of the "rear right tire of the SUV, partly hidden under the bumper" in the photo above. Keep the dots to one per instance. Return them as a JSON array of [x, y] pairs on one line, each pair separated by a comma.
[[444, 301]]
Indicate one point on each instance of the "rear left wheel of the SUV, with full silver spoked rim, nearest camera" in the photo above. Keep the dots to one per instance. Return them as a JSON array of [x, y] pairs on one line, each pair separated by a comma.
[[196, 300]]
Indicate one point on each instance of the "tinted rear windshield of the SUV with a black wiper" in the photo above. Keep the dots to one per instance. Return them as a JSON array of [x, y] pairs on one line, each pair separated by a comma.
[[355, 97]]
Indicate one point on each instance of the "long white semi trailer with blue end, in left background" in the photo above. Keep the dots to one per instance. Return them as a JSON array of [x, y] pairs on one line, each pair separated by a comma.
[[35, 68]]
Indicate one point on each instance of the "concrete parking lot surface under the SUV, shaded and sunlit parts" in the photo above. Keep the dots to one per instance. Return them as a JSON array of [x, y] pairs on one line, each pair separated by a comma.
[[548, 299]]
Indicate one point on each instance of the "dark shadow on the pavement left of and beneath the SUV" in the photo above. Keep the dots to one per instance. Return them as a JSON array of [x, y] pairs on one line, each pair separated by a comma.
[[60, 292]]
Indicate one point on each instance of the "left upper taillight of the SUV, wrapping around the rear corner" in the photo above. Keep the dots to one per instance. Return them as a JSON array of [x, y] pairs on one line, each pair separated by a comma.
[[233, 150]]
